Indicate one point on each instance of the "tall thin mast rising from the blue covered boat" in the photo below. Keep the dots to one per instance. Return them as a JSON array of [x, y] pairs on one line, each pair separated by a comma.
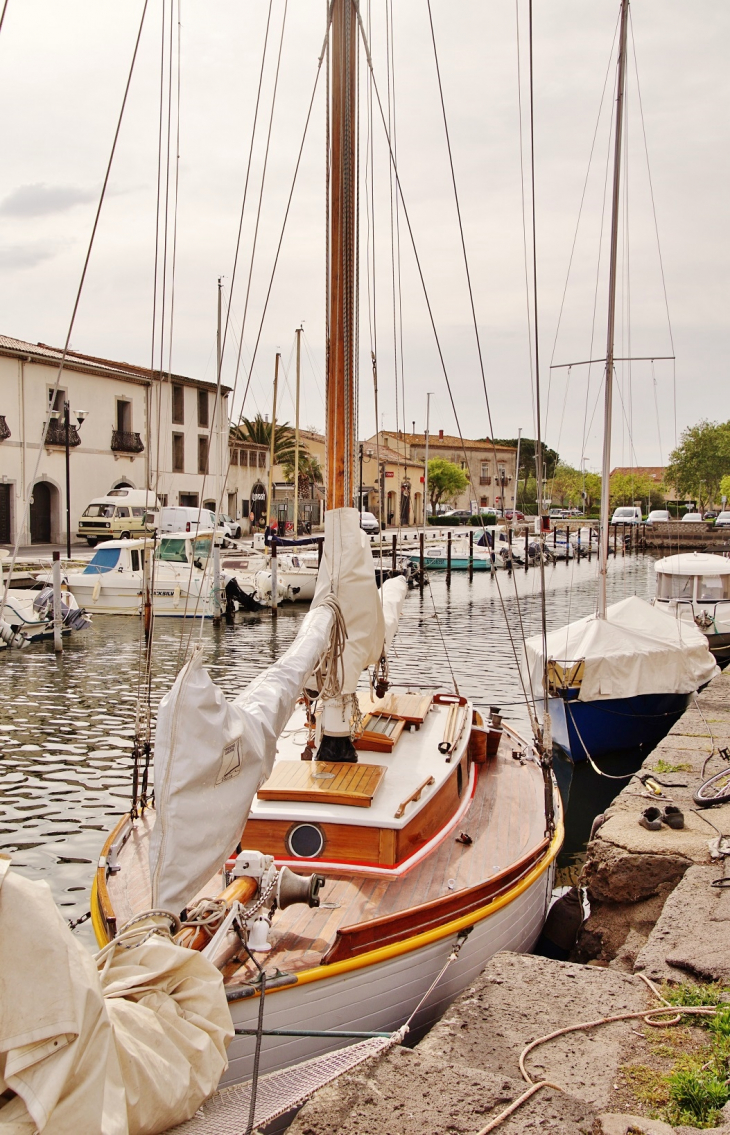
[[606, 475]]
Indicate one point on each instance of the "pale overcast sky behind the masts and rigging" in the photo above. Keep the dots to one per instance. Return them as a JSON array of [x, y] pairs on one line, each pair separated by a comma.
[[64, 65]]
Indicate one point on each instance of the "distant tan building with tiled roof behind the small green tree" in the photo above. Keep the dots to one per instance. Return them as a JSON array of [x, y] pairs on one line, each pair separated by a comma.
[[491, 469]]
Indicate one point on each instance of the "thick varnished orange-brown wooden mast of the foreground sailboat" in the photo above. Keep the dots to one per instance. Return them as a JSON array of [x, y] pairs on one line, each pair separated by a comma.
[[341, 409]]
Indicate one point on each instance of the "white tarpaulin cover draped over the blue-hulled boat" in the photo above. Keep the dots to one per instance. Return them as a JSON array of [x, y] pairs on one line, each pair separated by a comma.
[[636, 650]]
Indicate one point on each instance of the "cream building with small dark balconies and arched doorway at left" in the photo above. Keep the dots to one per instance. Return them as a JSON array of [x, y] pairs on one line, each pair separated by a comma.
[[128, 427]]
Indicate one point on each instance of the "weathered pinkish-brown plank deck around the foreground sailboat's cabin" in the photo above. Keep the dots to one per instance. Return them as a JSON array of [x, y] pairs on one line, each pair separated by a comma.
[[505, 821]]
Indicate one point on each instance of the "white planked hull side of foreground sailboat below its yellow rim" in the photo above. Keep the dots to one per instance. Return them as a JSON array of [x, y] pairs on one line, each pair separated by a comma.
[[381, 997]]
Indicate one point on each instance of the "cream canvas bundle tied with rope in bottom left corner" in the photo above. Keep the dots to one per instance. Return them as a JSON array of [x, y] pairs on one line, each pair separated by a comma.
[[137, 1053]]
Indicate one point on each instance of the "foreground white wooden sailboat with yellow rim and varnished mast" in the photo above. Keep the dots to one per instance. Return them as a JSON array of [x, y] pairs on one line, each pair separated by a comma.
[[427, 838]]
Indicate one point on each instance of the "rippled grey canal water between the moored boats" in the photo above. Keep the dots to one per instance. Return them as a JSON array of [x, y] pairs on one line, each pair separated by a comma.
[[68, 724]]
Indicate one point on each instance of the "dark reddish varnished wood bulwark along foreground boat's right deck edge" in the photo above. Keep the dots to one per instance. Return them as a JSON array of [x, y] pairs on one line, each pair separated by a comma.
[[381, 932]]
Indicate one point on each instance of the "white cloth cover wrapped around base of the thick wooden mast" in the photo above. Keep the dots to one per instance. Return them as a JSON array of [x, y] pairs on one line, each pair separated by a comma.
[[348, 573]]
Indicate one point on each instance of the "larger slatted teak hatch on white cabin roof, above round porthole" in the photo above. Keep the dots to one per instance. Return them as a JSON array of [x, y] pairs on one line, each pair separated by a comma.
[[297, 780]]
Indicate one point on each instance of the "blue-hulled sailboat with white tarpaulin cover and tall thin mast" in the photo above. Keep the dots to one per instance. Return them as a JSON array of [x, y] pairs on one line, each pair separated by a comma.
[[622, 678]]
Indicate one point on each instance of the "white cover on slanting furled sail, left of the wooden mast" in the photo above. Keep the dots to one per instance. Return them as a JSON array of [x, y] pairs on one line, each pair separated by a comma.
[[211, 759]]
